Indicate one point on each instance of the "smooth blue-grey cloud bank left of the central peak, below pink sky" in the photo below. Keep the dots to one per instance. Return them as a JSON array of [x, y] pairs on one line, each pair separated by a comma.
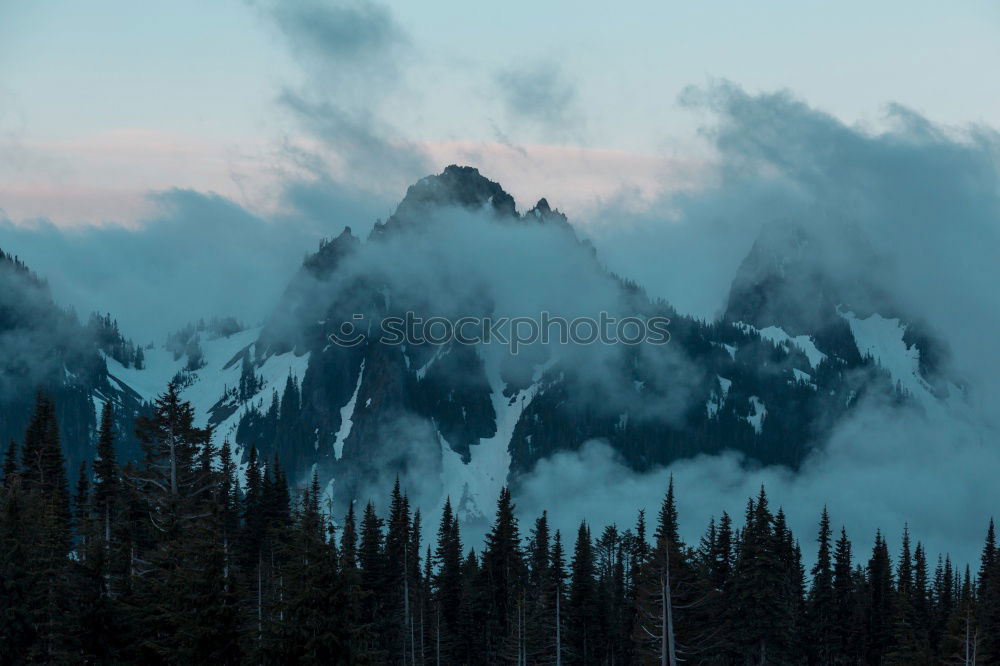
[[197, 256]]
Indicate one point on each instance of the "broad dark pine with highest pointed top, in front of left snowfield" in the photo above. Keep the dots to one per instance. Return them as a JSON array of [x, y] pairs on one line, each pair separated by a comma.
[[182, 603]]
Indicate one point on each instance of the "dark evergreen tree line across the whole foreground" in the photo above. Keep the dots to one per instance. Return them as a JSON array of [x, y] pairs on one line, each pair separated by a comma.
[[178, 559]]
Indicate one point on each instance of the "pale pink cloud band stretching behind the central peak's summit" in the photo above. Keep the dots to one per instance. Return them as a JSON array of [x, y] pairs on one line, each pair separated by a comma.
[[105, 178]]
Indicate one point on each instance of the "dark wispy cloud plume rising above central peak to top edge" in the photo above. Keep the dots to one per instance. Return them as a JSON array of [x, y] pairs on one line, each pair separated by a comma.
[[353, 55]]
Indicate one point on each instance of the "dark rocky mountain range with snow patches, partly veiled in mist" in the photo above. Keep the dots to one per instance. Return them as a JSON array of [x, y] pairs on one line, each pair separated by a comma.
[[795, 351]]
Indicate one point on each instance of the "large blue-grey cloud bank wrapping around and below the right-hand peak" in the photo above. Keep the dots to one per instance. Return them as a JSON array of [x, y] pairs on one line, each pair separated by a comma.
[[926, 200]]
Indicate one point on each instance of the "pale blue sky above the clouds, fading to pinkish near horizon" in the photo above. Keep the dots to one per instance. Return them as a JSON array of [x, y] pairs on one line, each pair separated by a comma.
[[88, 86]]
